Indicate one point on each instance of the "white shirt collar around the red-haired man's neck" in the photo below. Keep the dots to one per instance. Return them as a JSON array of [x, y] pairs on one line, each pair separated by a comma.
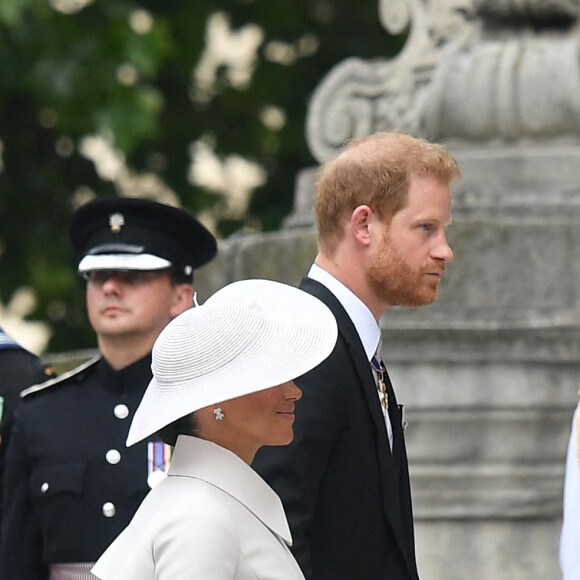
[[365, 323]]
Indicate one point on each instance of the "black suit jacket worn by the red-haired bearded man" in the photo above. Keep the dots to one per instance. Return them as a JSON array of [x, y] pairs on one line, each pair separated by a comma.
[[347, 497]]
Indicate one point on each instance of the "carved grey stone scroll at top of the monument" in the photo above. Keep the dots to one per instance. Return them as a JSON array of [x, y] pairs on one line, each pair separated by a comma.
[[471, 70]]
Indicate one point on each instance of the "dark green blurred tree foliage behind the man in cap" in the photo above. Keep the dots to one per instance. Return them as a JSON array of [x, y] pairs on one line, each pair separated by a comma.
[[124, 69]]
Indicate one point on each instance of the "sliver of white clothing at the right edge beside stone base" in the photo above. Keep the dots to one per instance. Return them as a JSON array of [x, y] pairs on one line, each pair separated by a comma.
[[570, 536]]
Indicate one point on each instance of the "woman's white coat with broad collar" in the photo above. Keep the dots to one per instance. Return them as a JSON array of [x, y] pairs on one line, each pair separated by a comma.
[[212, 518]]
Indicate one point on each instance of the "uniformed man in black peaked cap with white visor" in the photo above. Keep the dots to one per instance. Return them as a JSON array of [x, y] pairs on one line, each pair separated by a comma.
[[71, 485]]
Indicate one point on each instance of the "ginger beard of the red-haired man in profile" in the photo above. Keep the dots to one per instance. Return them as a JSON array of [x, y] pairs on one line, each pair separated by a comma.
[[396, 283]]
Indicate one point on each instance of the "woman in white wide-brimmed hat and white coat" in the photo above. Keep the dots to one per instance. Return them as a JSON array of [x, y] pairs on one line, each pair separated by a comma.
[[222, 387]]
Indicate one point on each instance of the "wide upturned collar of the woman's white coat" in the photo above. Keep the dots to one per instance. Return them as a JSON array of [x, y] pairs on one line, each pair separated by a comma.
[[197, 458]]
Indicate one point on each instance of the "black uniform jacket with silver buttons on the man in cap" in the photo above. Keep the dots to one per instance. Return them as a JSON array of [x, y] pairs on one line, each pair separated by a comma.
[[71, 485]]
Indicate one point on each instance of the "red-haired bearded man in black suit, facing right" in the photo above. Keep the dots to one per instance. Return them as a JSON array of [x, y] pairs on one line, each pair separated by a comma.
[[382, 208]]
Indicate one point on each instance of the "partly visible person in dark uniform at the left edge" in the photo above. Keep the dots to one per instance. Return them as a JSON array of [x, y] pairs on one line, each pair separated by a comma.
[[19, 369]]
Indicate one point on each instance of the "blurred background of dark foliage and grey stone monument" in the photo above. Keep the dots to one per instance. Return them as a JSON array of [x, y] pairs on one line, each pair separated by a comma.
[[226, 107]]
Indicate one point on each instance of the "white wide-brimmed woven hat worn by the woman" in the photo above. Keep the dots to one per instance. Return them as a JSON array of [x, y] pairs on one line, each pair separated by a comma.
[[249, 336]]
